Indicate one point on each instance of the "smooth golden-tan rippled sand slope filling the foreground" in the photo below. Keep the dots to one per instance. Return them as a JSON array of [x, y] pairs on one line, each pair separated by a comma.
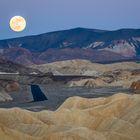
[[113, 118]]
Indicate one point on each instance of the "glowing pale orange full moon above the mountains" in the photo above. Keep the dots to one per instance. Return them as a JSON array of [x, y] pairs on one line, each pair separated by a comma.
[[17, 23]]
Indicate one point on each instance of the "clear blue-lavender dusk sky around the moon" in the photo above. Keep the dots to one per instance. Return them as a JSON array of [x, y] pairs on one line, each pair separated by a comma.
[[51, 15]]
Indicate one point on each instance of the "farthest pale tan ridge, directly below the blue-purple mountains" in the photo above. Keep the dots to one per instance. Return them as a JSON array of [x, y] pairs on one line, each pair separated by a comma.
[[84, 67]]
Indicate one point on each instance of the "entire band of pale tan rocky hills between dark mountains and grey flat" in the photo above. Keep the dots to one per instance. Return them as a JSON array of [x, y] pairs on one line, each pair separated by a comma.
[[100, 75]]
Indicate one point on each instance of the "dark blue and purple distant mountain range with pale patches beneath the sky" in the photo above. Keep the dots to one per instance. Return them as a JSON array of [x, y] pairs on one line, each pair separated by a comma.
[[78, 43]]
